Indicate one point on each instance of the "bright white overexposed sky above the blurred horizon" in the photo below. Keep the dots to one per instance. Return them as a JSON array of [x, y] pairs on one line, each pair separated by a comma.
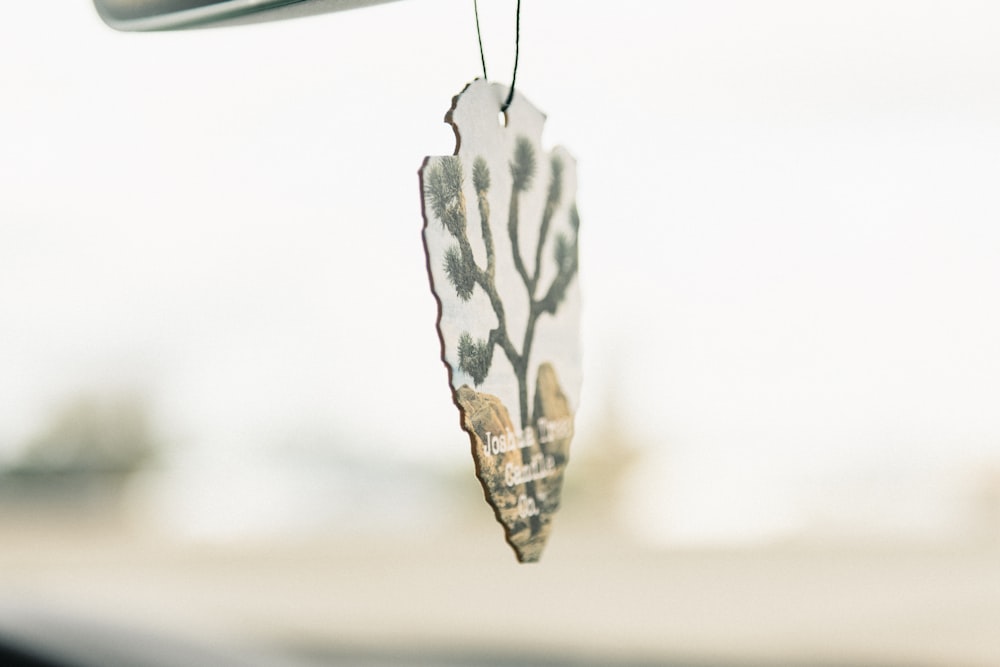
[[790, 252]]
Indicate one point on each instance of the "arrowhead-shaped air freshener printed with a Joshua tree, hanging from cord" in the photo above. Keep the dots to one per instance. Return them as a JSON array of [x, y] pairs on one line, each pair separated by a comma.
[[500, 230]]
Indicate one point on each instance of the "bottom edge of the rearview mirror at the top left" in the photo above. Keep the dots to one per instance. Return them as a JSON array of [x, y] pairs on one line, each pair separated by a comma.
[[179, 14]]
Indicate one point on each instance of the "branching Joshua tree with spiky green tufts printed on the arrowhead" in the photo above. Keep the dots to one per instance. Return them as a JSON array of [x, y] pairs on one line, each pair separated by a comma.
[[443, 186]]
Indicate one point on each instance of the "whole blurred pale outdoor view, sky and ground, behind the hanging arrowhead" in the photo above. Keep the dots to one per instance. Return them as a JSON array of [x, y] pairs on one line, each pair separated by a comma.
[[223, 414]]
